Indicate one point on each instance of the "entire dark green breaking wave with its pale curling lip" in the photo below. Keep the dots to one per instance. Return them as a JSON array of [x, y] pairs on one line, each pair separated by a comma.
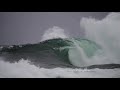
[[68, 52]]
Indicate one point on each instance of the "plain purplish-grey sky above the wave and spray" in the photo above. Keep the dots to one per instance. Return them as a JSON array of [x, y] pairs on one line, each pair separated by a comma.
[[28, 27]]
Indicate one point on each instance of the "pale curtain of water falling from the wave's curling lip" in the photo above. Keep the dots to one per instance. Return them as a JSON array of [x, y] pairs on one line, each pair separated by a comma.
[[77, 55]]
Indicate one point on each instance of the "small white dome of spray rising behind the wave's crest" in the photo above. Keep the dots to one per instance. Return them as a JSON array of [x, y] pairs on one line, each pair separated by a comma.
[[55, 32]]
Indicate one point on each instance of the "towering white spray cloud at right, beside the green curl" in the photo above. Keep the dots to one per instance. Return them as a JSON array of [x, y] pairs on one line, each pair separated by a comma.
[[105, 32]]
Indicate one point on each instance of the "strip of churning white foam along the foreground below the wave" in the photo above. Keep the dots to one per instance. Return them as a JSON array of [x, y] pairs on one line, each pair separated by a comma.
[[23, 69]]
